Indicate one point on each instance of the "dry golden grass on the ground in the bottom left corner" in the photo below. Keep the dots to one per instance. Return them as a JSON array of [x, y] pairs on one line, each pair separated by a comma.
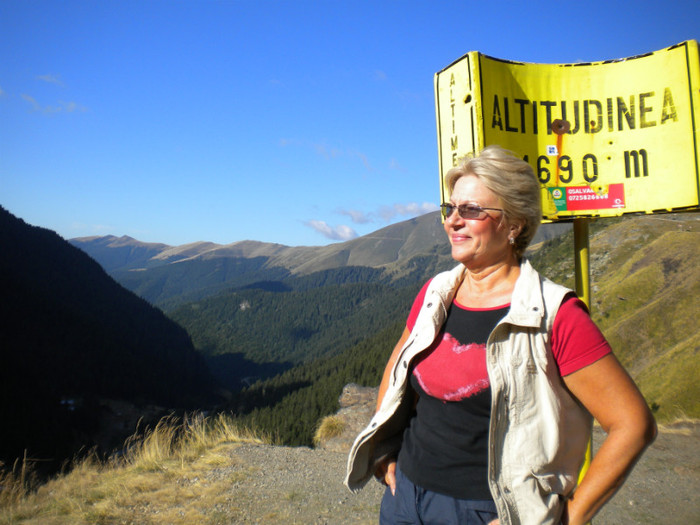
[[160, 478]]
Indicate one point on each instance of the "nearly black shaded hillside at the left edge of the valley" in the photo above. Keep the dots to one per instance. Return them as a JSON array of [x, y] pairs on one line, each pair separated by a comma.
[[71, 335]]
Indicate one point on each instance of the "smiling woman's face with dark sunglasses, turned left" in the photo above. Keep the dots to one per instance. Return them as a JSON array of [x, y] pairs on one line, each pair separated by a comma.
[[478, 243]]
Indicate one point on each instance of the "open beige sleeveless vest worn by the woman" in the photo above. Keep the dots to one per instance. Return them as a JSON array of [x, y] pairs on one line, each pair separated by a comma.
[[538, 431]]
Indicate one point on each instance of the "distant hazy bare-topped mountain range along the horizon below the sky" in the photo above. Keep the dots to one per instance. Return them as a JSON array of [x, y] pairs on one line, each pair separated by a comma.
[[168, 276]]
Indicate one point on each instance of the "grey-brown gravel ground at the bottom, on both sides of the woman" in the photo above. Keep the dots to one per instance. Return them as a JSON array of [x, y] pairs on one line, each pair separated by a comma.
[[281, 485]]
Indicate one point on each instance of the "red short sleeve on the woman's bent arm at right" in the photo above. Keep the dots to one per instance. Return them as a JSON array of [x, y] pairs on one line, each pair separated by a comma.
[[576, 341]]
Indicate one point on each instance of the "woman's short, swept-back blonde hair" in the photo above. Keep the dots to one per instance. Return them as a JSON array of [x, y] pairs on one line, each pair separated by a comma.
[[514, 183]]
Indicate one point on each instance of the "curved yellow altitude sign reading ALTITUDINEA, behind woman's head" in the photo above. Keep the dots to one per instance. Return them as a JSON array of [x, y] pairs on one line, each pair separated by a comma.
[[604, 138]]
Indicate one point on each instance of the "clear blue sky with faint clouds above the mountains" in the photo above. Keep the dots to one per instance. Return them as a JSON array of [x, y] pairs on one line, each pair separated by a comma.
[[296, 122]]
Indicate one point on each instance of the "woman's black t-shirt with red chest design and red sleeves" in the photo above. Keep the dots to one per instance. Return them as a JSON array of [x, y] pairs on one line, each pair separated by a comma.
[[445, 447]]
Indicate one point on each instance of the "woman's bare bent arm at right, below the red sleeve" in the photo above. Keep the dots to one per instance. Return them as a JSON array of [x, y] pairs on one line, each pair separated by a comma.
[[610, 395]]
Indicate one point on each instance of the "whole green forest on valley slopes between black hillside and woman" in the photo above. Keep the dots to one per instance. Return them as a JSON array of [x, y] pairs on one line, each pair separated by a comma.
[[305, 338]]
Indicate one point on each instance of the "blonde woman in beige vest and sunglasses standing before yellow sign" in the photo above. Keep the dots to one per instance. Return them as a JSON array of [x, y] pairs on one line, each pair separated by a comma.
[[484, 410]]
